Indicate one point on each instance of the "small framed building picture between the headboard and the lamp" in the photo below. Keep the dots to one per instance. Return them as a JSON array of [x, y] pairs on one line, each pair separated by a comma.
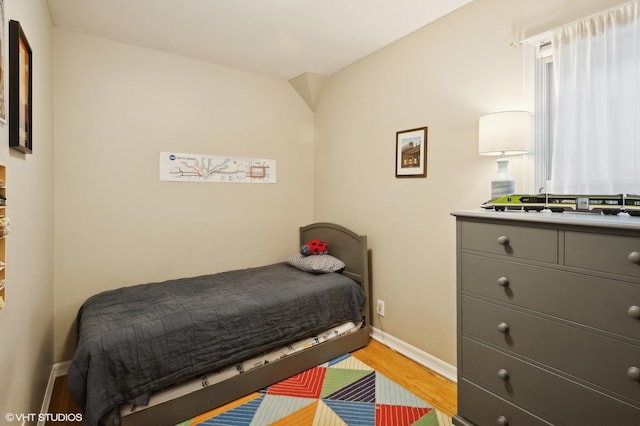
[[411, 153]]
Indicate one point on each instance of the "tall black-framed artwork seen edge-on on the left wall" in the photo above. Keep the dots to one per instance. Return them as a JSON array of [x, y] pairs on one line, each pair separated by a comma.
[[20, 90]]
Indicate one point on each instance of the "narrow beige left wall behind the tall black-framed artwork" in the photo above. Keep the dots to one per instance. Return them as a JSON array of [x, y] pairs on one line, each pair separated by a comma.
[[26, 322]]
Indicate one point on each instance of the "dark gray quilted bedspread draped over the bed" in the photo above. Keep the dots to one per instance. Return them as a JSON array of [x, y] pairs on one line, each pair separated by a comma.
[[134, 340]]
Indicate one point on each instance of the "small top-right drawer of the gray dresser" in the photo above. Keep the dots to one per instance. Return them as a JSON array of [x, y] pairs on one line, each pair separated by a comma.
[[607, 253]]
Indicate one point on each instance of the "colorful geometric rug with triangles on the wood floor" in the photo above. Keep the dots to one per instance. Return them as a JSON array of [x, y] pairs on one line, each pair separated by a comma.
[[343, 391]]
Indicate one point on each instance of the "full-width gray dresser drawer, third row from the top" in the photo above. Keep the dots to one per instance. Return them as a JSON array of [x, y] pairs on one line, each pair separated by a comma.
[[569, 349]]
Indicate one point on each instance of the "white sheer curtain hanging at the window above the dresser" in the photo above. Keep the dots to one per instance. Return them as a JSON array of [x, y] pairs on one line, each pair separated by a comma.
[[596, 142]]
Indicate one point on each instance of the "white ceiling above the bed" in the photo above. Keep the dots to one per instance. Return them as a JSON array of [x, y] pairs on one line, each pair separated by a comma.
[[279, 38]]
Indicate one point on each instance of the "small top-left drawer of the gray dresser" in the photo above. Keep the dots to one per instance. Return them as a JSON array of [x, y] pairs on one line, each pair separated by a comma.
[[513, 241]]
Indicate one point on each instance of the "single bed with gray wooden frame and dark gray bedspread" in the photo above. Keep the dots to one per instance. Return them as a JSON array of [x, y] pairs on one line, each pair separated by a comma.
[[168, 339]]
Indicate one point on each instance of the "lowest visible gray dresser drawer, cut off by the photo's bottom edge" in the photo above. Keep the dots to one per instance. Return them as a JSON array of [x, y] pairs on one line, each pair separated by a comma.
[[484, 408]]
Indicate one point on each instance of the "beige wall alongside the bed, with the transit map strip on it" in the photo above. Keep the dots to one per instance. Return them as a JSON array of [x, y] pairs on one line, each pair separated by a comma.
[[117, 107]]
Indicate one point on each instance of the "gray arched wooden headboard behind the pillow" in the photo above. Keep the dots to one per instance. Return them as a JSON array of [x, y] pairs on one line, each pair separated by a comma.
[[347, 246]]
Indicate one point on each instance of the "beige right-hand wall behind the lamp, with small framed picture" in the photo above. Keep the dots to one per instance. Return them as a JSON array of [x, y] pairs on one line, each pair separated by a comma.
[[443, 76]]
